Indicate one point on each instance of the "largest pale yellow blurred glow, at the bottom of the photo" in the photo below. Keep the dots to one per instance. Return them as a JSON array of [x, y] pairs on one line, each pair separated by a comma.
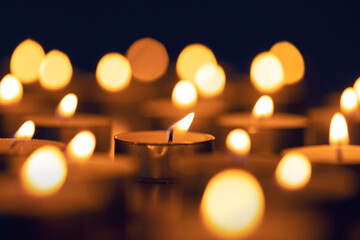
[[233, 204]]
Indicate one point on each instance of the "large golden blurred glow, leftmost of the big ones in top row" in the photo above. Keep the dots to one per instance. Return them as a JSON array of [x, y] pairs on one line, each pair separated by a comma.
[[25, 61]]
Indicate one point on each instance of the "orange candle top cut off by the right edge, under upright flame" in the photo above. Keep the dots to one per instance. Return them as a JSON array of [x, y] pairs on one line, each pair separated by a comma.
[[329, 154]]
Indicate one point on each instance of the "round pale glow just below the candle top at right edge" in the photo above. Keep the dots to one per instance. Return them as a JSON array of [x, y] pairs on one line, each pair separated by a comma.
[[293, 171]]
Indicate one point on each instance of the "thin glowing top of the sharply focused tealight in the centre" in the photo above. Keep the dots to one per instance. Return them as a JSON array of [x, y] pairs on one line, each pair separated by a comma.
[[161, 138]]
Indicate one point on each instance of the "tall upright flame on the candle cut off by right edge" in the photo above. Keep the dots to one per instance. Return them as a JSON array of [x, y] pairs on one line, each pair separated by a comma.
[[338, 130]]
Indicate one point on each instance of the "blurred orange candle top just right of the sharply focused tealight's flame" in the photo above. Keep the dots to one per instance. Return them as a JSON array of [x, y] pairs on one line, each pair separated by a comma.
[[277, 121]]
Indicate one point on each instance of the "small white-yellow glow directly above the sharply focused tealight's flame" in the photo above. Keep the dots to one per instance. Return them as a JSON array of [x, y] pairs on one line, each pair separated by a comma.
[[184, 94]]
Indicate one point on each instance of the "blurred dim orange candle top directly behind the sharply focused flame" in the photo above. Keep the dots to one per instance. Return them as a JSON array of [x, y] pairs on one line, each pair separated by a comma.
[[164, 108]]
